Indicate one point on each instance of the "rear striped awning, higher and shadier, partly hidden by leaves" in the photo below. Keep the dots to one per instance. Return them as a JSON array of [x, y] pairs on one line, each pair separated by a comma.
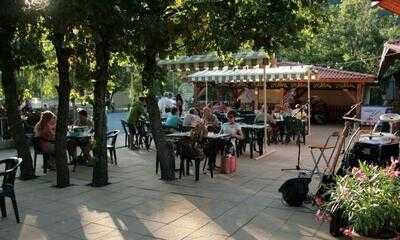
[[212, 61]]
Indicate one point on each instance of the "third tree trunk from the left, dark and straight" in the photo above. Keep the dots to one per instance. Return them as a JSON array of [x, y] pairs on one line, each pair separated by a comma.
[[100, 170]]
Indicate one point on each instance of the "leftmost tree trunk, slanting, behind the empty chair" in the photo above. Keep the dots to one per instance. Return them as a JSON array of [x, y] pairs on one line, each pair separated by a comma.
[[9, 84]]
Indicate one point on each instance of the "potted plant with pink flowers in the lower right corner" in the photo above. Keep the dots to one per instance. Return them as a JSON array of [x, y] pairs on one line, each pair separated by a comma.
[[367, 202]]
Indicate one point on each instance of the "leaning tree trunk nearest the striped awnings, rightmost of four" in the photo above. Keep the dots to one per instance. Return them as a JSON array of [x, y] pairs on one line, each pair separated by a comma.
[[164, 152]]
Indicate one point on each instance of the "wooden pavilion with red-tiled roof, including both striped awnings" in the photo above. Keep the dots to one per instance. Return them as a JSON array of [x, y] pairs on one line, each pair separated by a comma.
[[338, 88]]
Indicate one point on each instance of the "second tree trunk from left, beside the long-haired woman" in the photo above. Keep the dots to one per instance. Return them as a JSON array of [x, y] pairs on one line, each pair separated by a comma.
[[64, 89]]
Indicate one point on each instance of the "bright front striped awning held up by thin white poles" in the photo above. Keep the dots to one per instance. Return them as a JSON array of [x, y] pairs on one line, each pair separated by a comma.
[[283, 73]]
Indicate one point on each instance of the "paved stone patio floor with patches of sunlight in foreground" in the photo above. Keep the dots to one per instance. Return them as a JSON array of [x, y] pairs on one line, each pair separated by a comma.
[[137, 205]]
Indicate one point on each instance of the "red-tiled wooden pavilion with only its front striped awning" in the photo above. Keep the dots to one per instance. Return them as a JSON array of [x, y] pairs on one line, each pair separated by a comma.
[[339, 89]]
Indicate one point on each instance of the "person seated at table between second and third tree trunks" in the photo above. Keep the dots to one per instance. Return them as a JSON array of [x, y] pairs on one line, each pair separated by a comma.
[[85, 144]]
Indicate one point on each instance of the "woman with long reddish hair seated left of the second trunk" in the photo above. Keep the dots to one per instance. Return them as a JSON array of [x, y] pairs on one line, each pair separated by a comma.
[[45, 130]]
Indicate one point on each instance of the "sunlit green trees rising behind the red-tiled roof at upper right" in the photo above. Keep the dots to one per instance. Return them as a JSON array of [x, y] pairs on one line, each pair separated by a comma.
[[350, 36]]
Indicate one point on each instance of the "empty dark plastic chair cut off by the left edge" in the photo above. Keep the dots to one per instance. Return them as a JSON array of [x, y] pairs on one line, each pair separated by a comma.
[[7, 188]]
